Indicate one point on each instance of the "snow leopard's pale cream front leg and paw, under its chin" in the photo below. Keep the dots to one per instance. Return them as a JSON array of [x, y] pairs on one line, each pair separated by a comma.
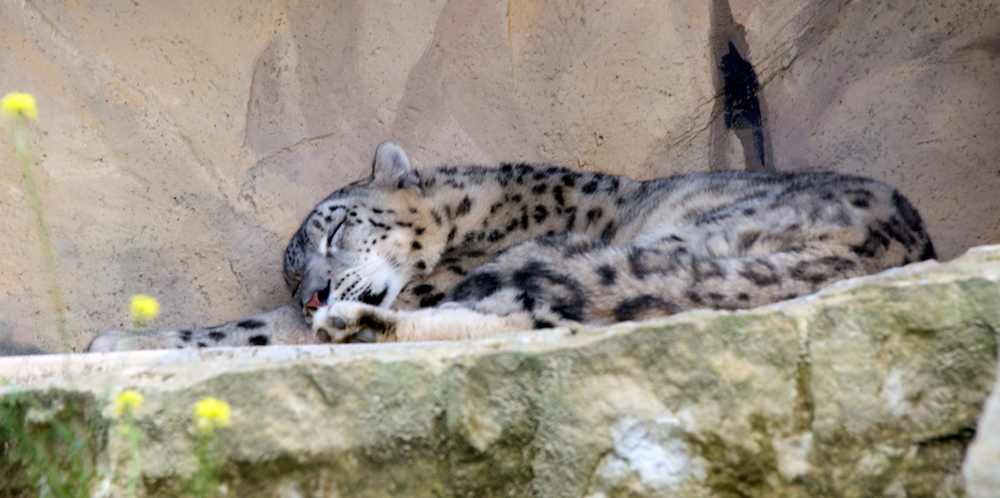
[[352, 321]]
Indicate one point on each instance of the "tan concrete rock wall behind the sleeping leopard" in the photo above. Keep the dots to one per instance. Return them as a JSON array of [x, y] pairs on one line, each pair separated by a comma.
[[180, 143]]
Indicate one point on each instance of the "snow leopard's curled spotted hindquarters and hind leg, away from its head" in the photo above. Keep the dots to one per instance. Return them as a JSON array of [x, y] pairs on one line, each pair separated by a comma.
[[716, 240]]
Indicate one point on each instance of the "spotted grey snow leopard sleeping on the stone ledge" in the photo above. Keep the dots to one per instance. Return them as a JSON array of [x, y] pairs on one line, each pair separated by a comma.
[[464, 252]]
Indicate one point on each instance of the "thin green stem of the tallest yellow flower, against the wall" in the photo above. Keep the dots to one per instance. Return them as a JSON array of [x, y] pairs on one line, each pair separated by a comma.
[[55, 291]]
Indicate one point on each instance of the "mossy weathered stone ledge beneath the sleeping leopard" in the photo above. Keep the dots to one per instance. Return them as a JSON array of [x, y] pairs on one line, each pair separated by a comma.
[[870, 388]]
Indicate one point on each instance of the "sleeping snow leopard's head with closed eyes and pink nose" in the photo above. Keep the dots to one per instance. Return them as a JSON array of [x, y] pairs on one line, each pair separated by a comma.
[[366, 241]]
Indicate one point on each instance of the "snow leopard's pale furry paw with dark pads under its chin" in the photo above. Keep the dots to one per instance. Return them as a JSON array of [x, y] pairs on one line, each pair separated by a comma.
[[352, 321]]
